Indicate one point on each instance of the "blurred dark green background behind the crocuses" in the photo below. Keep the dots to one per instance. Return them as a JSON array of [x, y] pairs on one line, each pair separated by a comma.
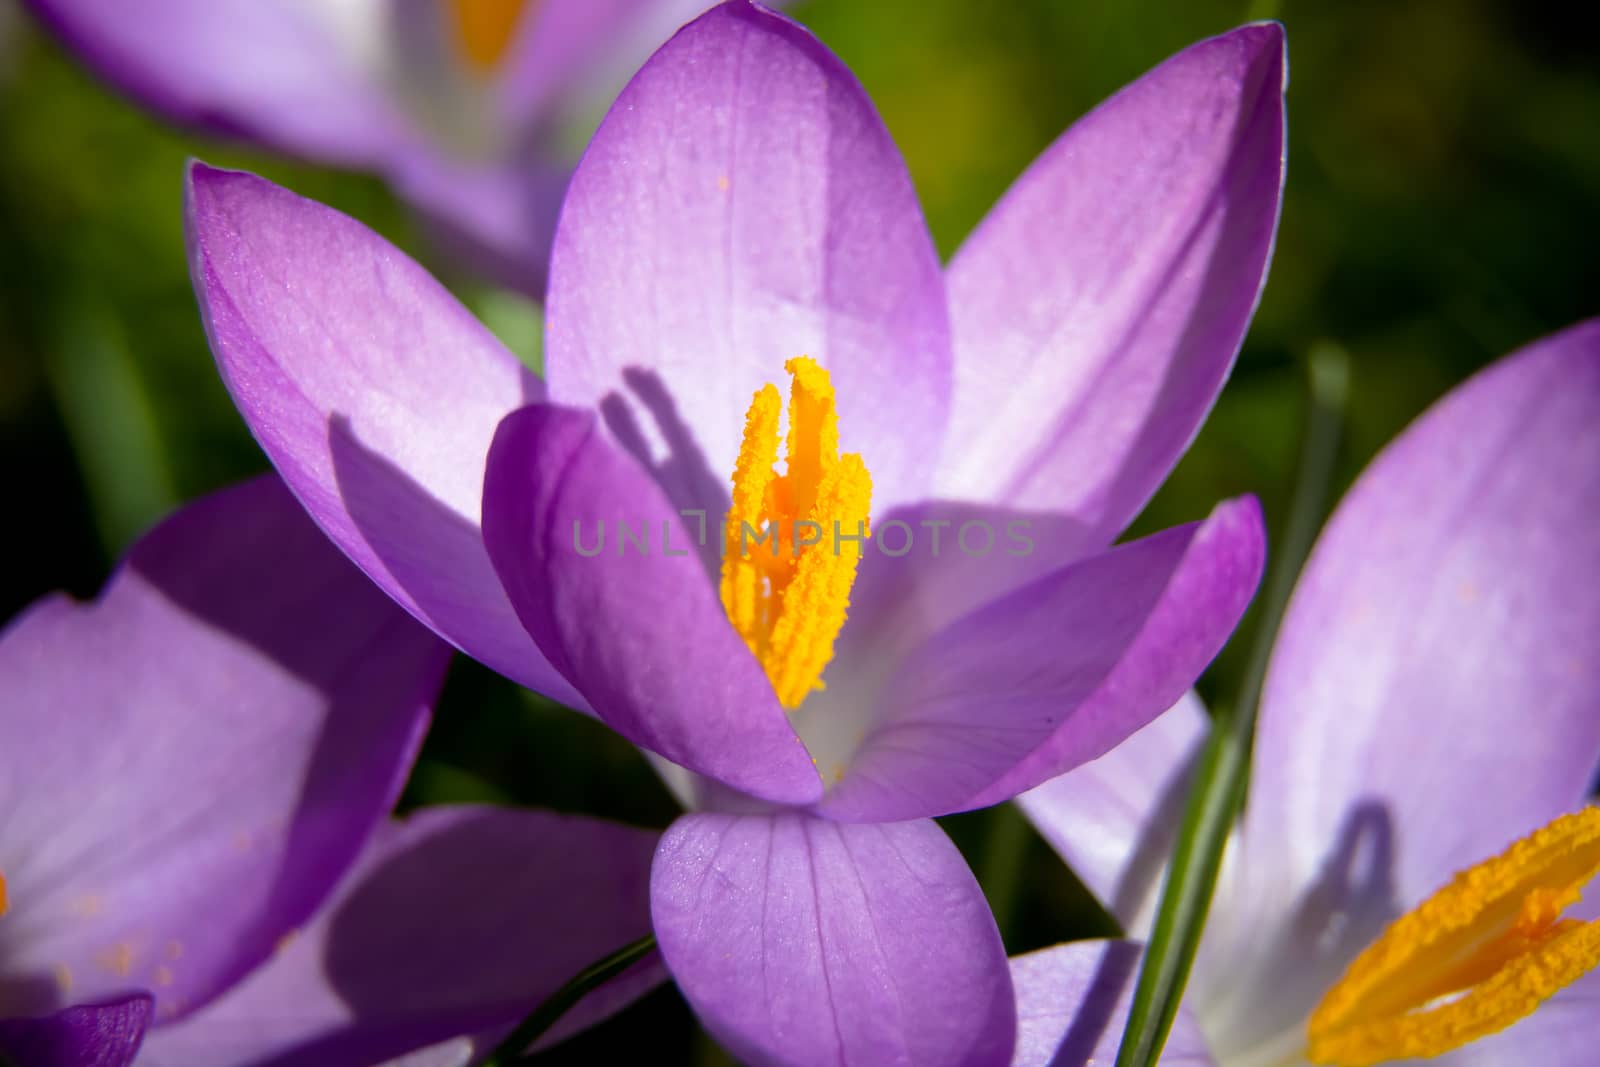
[[1441, 212]]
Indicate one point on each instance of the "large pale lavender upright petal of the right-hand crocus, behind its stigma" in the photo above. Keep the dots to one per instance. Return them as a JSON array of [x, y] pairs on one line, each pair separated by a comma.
[[1439, 650]]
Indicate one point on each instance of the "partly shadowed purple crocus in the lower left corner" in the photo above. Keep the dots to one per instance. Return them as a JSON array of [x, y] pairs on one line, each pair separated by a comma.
[[190, 767]]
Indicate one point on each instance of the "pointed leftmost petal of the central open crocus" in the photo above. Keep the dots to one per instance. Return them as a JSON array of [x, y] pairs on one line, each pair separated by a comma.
[[374, 393]]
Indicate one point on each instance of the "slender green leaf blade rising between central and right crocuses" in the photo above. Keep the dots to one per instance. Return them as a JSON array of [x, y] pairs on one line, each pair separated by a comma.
[[1218, 791]]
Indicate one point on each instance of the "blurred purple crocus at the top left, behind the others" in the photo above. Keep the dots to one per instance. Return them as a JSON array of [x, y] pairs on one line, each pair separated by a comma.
[[458, 105]]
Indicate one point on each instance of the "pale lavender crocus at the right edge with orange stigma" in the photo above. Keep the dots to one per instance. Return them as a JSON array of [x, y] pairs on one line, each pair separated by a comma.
[[1434, 697]]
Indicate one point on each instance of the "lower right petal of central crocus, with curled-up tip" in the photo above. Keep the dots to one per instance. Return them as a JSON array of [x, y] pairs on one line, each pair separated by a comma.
[[1057, 674]]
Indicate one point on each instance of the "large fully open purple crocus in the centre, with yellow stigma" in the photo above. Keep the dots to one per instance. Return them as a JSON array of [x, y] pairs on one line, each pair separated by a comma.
[[742, 218]]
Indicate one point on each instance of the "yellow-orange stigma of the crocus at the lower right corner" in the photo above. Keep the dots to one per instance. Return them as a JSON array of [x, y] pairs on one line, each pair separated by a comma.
[[1473, 959]]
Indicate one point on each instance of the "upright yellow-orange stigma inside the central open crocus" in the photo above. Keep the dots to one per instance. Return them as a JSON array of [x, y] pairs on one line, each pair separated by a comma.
[[794, 540]]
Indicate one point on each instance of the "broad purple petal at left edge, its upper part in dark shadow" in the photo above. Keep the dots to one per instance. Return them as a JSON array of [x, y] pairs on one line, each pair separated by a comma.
[[186, 765]]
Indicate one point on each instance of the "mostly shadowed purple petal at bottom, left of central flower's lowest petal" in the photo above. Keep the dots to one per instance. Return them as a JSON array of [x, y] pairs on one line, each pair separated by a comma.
[[457, 924]]
